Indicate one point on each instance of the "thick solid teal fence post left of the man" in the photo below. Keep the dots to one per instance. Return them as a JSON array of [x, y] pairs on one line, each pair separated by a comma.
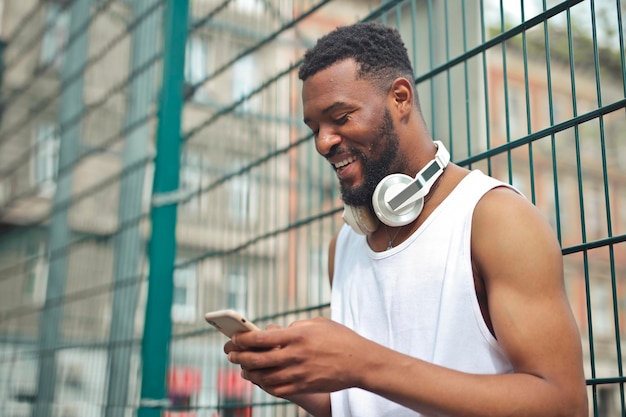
[[162, 246]]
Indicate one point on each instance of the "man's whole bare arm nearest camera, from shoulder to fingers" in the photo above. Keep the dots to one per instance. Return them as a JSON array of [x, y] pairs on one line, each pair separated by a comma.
[[515, 253]]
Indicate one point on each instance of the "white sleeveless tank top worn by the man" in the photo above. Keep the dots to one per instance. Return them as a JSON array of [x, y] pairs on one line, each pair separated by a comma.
[[417, 298]]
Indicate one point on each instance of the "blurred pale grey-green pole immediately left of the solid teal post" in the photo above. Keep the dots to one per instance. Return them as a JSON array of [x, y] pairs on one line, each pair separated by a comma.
[[128, 242]]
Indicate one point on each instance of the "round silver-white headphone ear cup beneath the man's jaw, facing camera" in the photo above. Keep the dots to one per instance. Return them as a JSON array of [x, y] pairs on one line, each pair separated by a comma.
[[387, 189]]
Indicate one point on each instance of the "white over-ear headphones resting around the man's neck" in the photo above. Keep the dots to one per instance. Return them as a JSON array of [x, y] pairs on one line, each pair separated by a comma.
[[398, 199]]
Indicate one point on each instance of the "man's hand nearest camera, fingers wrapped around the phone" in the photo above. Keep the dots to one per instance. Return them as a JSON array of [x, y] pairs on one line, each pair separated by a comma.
[[310, 356]]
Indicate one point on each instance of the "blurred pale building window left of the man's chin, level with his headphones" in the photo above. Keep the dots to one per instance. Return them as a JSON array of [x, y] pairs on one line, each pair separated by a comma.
[[244, 201]]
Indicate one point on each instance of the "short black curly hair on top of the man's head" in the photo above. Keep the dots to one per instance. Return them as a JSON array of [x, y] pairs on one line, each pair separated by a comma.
[[378, 49]]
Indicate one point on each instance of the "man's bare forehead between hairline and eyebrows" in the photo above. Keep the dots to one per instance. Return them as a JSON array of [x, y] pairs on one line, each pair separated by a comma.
[[336, 84]]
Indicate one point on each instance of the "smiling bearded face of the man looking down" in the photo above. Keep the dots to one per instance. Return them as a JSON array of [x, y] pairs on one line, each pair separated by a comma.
[[353, 128]]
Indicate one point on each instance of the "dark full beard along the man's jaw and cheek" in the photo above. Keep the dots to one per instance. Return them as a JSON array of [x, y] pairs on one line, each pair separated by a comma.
[[375, 170]]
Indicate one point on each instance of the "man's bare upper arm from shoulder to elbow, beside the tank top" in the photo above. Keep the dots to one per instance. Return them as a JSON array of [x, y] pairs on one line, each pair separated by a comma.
[[519, 259]]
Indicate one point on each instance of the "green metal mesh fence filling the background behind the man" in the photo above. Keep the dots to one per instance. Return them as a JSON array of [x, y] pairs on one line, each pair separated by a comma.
[[162, 141]]
